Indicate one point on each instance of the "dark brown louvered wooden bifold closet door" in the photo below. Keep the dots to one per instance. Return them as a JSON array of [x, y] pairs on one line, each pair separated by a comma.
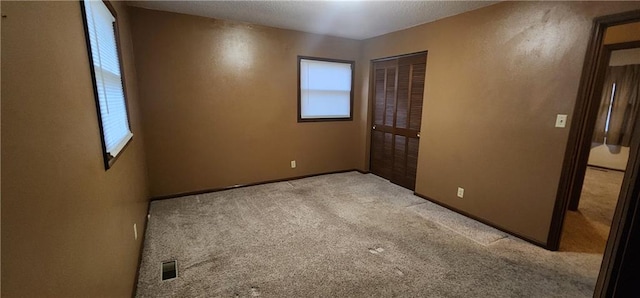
[[397, 115]]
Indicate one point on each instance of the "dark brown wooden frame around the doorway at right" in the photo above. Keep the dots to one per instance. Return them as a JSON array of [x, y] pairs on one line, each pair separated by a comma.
[[626, 218]]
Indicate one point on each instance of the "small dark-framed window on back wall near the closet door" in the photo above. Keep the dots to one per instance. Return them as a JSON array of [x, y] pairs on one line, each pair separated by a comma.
[[325, 89]]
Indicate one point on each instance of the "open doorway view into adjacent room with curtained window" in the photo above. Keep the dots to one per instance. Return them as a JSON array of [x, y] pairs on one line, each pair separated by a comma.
[[586, 227]]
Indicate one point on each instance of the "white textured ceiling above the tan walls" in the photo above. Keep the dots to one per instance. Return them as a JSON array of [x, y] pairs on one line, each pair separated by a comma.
[[350, 19]]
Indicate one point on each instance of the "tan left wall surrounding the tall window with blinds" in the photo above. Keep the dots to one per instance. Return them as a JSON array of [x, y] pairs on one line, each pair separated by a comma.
[[67, 225]]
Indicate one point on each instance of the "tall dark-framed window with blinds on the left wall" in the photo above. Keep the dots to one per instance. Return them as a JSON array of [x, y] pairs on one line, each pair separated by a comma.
[[104, 55]]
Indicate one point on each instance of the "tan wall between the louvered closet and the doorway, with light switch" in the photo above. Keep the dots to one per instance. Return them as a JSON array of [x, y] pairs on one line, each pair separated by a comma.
[[496, 78]]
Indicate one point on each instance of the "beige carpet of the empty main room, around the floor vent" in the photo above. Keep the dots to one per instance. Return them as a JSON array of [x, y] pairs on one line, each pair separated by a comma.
[[344, 235]]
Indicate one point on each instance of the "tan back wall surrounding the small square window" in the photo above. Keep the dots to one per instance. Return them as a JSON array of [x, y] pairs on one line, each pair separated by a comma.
[[219, 103]]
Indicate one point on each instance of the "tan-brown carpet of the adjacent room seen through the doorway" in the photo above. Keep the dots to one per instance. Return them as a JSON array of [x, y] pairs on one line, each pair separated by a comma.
[[587, 229]]
